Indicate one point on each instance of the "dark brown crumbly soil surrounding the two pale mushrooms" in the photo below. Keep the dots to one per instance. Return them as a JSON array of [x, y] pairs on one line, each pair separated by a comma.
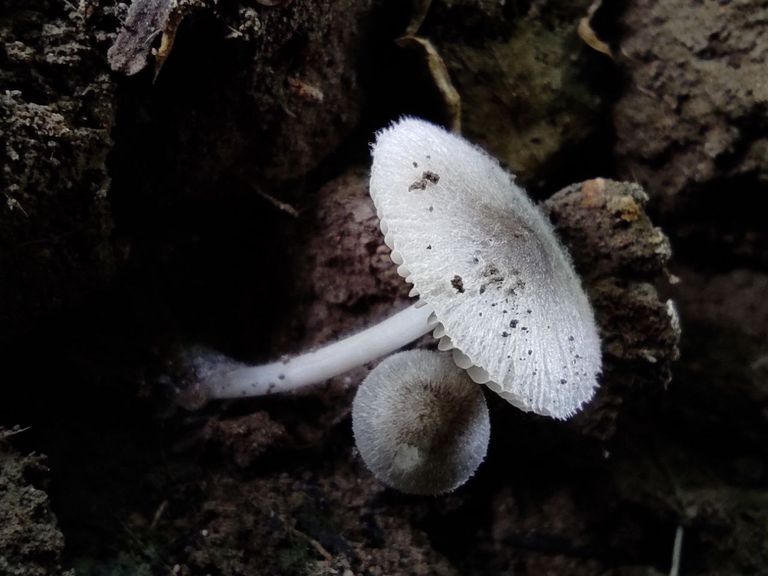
[[211, 189]]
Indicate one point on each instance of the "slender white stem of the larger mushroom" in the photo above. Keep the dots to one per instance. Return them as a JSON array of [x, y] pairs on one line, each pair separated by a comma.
[[234, 381]]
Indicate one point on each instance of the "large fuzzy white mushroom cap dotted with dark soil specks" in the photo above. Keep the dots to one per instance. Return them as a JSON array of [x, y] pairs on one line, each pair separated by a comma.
[[487, 261]]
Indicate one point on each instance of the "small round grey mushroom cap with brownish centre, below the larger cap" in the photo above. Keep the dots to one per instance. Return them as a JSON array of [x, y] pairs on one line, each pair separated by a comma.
[[420, 423]]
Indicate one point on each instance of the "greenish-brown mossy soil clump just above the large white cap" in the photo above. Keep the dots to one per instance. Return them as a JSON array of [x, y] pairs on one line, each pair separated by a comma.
[[531, 102]]
